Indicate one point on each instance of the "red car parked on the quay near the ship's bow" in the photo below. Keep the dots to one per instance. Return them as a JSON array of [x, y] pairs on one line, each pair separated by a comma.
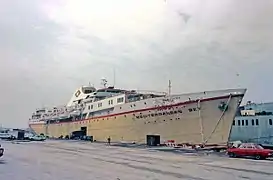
[[250, 150]]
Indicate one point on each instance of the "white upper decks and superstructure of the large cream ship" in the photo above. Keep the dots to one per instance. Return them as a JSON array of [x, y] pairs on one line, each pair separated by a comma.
[[103, 99]]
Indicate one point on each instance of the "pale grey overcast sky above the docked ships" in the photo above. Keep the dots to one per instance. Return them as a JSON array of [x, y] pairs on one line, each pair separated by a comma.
[[50, 48]]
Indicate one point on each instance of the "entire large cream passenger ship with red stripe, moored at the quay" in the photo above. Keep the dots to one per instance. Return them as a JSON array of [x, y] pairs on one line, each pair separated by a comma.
[[133, 116]]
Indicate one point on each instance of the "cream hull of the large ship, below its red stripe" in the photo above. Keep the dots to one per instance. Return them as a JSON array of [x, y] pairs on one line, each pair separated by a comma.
[[205, 123]]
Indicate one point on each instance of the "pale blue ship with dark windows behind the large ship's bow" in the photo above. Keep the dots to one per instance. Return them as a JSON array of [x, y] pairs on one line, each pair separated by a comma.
[[253, 123]]
